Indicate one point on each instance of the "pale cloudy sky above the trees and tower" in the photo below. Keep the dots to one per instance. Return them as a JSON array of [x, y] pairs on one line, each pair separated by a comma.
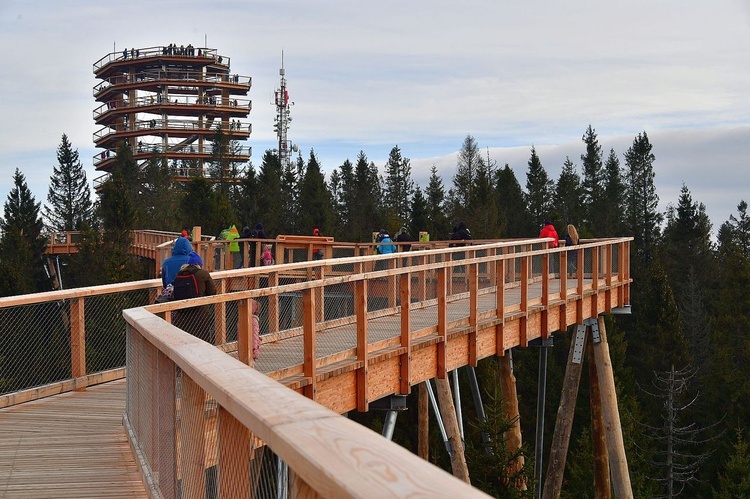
[[418, 75]]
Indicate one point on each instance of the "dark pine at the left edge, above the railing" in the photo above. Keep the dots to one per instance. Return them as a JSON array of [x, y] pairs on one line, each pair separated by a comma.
[[21, 243]]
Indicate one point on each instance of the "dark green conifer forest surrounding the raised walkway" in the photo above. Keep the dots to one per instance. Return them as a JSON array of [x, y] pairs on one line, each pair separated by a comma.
[[680, 359]]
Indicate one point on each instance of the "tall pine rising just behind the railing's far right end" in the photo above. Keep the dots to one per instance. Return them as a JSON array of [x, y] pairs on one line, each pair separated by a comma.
[[642, 217]]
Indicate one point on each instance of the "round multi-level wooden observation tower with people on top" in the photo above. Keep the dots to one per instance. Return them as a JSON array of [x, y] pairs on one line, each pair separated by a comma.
[[174, 101]]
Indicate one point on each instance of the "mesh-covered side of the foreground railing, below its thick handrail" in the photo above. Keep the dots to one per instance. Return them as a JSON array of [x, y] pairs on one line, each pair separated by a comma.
[[191, 446]]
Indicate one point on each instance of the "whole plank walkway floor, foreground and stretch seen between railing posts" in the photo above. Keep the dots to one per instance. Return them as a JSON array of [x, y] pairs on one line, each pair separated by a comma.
[[74, 444]]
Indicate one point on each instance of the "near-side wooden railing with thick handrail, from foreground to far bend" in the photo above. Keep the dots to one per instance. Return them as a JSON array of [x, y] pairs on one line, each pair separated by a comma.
[[437, 301]]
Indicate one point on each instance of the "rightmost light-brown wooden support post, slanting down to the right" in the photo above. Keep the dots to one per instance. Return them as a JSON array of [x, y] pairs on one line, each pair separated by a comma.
[[615, 444]]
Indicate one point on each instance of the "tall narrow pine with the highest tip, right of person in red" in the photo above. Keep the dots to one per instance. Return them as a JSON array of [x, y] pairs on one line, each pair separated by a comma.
[[593, 181]]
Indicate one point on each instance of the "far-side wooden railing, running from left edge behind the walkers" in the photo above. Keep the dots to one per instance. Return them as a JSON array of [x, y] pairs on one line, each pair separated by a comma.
[[82, 324]]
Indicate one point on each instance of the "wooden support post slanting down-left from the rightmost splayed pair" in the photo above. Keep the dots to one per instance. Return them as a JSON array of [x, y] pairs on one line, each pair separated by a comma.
[[565, 413]]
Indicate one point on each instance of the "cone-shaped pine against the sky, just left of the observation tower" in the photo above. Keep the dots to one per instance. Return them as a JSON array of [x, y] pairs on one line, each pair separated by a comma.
[[69, 203]]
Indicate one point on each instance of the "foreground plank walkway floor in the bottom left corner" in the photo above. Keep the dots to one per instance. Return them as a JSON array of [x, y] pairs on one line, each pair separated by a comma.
[[70, 445]]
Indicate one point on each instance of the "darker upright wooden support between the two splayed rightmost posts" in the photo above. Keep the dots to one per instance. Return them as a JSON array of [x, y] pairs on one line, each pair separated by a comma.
[[602, 486]]
